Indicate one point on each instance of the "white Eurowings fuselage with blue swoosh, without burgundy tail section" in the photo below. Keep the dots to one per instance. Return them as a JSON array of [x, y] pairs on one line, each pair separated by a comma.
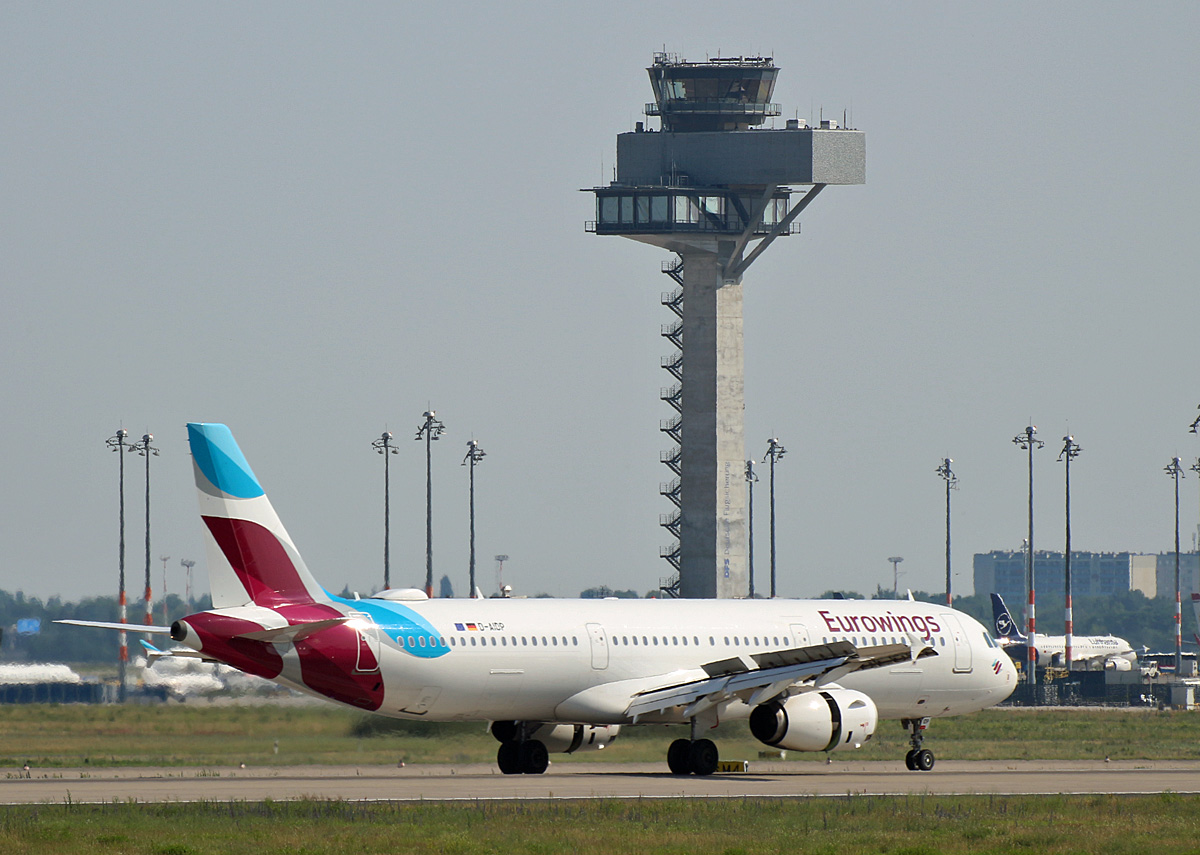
[[583, 661]]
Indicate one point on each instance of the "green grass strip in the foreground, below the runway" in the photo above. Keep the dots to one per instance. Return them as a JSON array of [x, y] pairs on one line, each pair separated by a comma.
[[897, 826]]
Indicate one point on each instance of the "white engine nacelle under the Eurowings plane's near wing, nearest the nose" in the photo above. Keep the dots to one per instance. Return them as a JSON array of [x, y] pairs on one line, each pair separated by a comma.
[[830, 720]]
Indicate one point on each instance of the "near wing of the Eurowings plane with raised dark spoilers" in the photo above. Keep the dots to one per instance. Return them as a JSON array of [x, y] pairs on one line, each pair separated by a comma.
[[763, 677]]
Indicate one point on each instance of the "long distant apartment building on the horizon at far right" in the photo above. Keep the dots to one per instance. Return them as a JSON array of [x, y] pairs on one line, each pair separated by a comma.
[[1094, 575]]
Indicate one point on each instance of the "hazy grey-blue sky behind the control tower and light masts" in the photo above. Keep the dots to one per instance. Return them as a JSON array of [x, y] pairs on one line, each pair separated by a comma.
[[313, 222]]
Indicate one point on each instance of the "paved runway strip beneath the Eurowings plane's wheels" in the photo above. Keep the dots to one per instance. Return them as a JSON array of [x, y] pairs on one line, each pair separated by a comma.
[[591, 781]]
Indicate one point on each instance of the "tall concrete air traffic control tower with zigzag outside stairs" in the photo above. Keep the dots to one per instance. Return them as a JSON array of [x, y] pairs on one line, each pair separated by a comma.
[[707, 187]]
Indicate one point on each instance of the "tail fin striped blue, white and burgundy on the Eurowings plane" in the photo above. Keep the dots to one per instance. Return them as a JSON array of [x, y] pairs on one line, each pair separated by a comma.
[[251, 558]]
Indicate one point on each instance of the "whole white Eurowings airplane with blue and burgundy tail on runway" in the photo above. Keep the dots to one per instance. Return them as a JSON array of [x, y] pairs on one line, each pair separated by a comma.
[[566, 675]]
